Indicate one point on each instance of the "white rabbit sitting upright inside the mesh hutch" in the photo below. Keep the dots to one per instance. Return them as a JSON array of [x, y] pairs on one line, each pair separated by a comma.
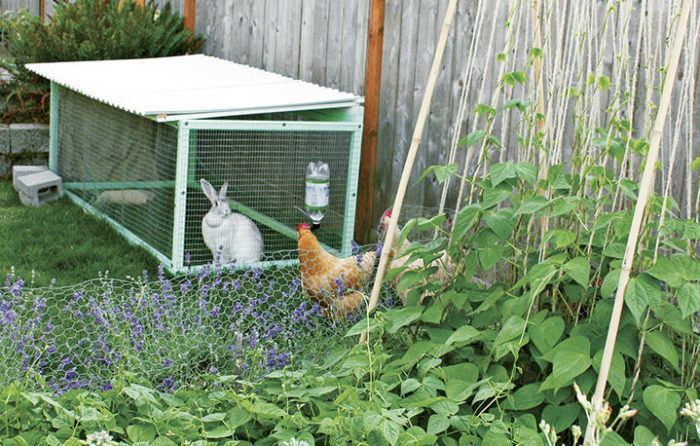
[[233, 235]]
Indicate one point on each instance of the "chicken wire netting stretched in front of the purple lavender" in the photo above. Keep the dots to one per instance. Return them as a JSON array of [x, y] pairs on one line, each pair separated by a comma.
[[187, 331]]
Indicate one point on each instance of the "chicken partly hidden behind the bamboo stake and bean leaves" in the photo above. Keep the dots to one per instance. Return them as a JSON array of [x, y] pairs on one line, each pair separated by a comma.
[[444, 264]]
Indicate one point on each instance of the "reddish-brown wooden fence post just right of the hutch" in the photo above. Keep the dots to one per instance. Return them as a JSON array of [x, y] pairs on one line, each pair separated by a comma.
[[368, 162]]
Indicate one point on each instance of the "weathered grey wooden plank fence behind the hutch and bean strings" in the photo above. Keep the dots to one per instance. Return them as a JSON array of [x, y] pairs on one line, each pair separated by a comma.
[[325, 42]]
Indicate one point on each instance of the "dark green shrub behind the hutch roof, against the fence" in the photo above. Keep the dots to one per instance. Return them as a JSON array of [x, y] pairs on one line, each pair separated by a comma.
[[85, 30]]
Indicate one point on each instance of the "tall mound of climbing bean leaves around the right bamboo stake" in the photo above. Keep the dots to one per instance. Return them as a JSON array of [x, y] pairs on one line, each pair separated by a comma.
[[535, 320]]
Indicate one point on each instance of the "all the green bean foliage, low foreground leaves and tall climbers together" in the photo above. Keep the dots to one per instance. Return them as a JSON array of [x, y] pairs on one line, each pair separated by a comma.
[[480, 362]]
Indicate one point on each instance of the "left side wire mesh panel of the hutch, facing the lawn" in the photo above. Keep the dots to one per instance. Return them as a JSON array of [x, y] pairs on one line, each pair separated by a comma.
[[120, 164]]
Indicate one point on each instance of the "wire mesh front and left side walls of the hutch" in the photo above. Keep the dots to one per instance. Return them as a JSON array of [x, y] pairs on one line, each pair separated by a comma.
[[135, 171]]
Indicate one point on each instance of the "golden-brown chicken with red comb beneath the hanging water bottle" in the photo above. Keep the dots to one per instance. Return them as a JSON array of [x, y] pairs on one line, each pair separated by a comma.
[[329, 281]]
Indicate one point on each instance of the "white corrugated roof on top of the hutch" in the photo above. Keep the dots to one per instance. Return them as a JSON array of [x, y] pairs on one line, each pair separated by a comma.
[[189, 85]]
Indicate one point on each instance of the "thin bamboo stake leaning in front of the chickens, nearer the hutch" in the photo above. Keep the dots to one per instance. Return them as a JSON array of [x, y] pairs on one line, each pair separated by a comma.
[[410, 158]]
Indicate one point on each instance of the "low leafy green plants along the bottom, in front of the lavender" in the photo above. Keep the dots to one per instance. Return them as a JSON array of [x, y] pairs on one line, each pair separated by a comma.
[[332, 404]]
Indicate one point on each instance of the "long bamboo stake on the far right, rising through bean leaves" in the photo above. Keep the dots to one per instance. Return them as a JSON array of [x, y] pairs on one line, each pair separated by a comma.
[[645, 190]]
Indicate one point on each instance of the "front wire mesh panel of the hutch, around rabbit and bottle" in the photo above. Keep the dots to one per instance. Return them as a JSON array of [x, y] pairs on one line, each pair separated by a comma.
[[265, 173]]
